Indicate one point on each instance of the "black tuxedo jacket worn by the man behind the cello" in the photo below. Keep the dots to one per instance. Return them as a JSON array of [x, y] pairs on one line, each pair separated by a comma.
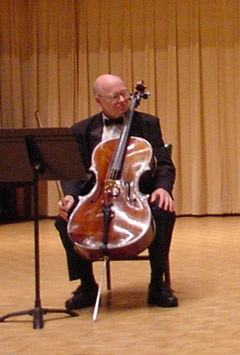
[[89, 131]]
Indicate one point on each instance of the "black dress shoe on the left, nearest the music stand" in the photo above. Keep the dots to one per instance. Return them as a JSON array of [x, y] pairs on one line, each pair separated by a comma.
[[82, 297]]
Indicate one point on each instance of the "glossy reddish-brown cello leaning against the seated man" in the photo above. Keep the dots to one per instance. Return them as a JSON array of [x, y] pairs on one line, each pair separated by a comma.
[[114, 220]]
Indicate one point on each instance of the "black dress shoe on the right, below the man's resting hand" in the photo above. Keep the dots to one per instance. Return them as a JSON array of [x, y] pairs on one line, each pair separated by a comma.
[[162, 296]]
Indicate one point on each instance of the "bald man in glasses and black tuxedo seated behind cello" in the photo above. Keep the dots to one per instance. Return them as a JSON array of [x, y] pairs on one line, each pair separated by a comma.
[[112, 95]]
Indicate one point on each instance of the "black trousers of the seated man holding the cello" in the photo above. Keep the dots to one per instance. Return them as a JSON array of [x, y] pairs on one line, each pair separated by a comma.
[[79, 267]]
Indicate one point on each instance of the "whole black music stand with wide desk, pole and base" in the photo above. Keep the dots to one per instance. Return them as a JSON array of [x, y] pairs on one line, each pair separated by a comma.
[[30, 155]]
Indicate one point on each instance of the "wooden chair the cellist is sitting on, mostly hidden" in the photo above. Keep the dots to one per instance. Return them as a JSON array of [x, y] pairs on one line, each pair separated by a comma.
[[141, 256]]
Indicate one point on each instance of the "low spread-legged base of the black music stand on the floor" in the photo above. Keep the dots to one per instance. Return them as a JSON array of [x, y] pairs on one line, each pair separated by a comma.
[[37, 314]]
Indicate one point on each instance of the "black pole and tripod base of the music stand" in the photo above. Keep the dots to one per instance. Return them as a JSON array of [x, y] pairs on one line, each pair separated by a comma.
[[37, 312]]
